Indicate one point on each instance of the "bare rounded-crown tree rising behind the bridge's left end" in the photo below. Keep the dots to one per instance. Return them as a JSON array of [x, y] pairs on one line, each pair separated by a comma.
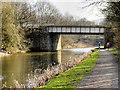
[[46, 13]]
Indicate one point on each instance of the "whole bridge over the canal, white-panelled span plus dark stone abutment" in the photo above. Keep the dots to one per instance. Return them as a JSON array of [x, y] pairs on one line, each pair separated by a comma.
[[48, 37]]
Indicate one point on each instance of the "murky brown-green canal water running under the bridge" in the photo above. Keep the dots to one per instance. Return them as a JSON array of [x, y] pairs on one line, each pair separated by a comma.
[[16, 68]]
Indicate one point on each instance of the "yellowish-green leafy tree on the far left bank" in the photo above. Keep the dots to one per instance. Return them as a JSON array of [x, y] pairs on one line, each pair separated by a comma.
[[12, 35]]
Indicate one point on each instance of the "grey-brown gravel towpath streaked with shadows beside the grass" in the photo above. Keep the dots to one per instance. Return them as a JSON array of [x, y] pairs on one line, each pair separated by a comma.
[[104, 75]]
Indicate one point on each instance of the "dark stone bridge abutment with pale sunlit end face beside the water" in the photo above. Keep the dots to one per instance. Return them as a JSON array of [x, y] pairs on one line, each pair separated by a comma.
[[44, 41]]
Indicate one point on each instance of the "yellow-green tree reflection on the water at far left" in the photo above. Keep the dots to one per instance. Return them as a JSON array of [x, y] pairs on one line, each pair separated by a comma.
[[15, 67]]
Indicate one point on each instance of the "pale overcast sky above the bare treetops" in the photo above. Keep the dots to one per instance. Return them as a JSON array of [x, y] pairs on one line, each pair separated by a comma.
[[75, 8]]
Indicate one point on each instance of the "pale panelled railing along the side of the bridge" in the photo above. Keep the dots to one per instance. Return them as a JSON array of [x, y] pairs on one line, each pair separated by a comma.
[[75, 29]]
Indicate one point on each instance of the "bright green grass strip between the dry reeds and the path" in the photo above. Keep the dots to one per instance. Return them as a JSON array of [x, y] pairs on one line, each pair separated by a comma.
[[71, 77]]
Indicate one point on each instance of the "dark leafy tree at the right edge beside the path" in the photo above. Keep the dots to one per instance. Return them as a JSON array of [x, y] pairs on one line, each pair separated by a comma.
[[112, 12]]
